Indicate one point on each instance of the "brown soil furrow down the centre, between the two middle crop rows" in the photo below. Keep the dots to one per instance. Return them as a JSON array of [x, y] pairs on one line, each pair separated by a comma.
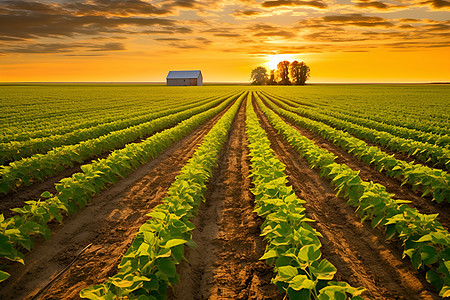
[[226, 264]]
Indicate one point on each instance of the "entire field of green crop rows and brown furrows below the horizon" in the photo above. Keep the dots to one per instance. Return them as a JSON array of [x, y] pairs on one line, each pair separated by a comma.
[[224, 192]]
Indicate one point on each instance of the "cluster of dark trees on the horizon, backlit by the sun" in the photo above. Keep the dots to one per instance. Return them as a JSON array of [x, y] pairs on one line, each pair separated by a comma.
[[287, 73]]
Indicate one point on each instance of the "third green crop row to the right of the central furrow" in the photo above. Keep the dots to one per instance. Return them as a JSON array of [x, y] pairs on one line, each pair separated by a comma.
[[429, 180]]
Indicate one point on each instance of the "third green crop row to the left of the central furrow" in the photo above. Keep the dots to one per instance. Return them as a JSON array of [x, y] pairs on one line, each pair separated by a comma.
[[41, 166]]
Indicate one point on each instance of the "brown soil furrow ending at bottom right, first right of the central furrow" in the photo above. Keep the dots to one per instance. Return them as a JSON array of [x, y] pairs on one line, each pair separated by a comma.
[[360, 254]]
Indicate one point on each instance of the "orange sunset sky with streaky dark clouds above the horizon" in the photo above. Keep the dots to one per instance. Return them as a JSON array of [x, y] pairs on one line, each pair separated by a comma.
[[342, 41]]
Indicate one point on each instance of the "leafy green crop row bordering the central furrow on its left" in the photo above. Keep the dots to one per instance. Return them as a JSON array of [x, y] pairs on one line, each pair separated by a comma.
[[149, 265]]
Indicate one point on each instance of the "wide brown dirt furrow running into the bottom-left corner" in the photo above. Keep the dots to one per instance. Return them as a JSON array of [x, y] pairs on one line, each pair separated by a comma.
[[109, 223]]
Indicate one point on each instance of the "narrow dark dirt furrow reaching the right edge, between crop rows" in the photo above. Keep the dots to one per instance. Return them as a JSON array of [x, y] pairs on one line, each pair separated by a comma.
[[369, 173]]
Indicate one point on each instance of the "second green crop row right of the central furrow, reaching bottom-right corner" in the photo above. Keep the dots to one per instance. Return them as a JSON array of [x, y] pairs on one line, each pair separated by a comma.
[[424, 240]]
